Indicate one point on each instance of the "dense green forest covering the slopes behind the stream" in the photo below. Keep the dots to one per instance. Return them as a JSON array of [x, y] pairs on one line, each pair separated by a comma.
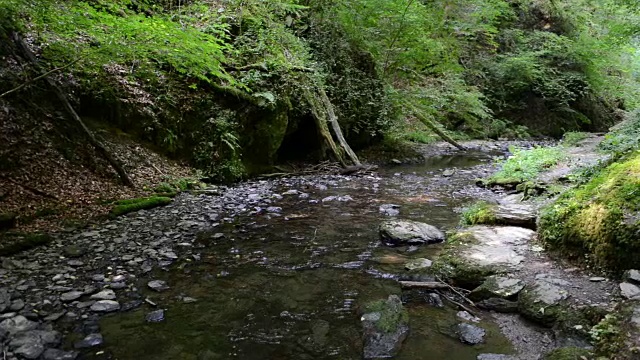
[[233, 85]]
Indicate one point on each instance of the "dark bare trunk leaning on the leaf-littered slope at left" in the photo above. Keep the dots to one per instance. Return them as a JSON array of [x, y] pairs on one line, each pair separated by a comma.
[[24, 48]]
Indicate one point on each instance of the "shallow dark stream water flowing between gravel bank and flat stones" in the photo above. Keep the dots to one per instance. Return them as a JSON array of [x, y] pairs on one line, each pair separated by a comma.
[[289, 285]]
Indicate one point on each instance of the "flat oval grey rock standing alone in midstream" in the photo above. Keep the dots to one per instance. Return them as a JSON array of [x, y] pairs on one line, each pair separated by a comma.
[[403, 232]]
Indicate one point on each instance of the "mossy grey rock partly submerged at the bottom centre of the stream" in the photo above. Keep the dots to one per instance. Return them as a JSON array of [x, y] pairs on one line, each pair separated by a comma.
[[385, 327]]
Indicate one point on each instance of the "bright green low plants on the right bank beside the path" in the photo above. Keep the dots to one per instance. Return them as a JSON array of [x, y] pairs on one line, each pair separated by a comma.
[[525, 165]]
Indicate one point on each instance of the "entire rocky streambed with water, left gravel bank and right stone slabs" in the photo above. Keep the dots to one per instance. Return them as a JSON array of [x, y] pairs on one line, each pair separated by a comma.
[[299, 268]]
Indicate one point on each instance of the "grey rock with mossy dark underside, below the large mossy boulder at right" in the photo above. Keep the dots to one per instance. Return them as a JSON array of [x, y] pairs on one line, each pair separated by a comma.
[[542, 302]]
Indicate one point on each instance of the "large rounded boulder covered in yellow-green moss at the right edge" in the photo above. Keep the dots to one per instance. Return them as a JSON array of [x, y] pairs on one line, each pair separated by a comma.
[[599, 219]]
